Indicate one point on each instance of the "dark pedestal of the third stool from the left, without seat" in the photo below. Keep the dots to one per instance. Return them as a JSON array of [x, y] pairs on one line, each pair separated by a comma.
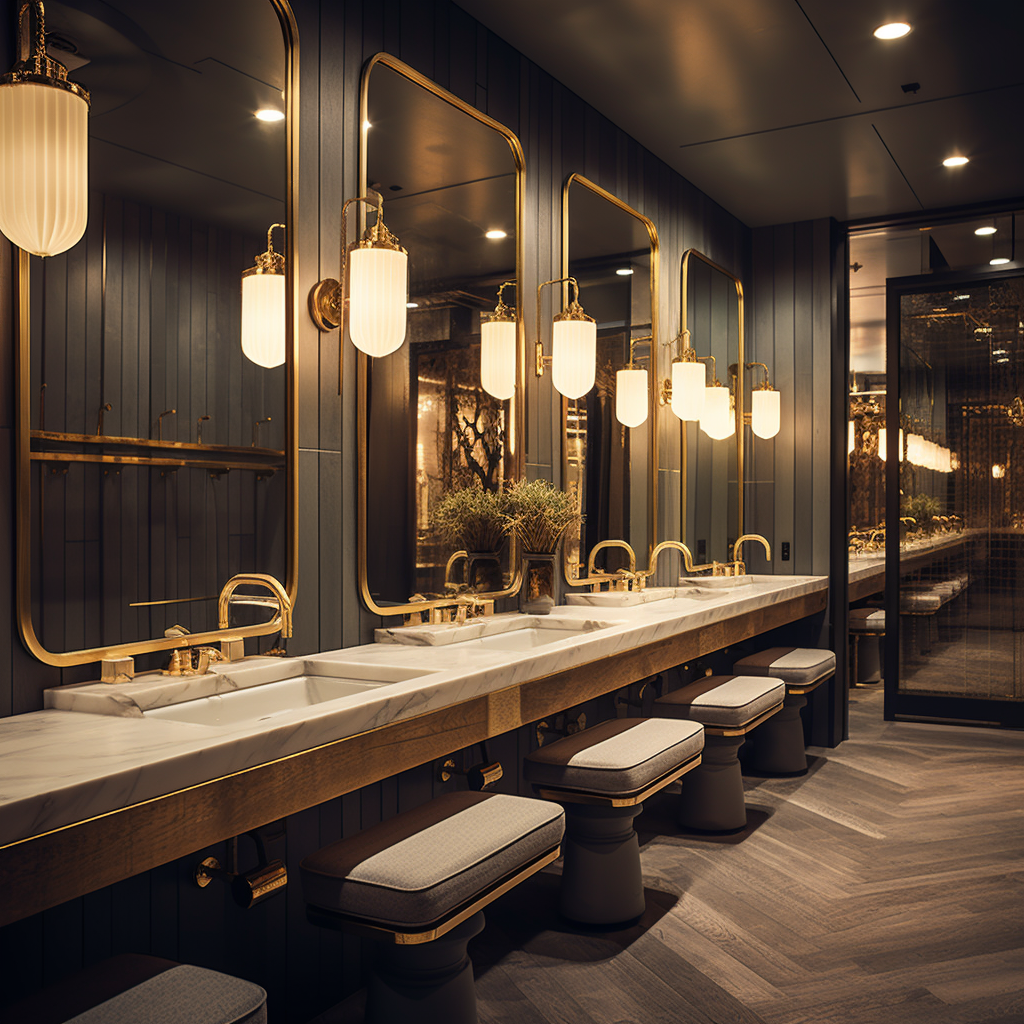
[[602, 880]]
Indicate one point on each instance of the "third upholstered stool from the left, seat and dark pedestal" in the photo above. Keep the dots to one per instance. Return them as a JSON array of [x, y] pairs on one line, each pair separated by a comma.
[[603, 776]]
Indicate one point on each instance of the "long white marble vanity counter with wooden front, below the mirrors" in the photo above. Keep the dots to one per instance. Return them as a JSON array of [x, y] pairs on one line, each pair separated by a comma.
[[64, 769]]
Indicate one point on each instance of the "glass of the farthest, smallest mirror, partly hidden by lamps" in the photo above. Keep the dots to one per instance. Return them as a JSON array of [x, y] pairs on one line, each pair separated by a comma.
[[711, 506]]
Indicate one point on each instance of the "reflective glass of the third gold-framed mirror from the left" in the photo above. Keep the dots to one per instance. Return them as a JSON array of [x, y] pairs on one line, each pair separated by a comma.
[[612, 251]]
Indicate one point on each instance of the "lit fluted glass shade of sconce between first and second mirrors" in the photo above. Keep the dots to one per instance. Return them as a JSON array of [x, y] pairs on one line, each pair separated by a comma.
[[377, 295]]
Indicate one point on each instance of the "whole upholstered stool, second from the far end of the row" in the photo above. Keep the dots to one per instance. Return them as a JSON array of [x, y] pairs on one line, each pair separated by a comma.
[[729, 707]]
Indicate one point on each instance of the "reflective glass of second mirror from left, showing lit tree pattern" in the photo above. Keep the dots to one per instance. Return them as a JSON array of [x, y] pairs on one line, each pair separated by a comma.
[[451, 181]]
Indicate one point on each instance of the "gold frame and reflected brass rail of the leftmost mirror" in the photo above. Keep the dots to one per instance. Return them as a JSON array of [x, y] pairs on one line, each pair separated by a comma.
[[23, 447]]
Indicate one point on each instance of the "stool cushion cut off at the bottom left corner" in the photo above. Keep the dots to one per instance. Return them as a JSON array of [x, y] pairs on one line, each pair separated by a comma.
[[143, 990]]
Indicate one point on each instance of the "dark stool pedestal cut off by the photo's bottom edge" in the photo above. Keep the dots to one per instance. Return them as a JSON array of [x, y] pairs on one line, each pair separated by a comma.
[[430, 984]]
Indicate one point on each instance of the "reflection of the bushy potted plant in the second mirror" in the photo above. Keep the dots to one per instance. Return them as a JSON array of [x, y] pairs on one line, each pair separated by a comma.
[[475, 521]]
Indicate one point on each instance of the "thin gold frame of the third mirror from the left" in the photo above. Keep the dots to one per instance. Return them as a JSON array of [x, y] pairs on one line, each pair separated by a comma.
[[653, 375]]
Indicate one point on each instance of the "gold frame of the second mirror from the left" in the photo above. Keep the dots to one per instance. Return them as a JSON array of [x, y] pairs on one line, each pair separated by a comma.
[[518, 403]]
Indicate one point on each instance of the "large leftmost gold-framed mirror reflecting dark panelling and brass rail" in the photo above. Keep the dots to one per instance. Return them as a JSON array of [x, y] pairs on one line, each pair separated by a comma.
[[155, 461]]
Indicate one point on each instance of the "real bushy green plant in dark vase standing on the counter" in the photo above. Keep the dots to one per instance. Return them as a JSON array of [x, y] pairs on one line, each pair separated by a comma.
[[538, 517]]
